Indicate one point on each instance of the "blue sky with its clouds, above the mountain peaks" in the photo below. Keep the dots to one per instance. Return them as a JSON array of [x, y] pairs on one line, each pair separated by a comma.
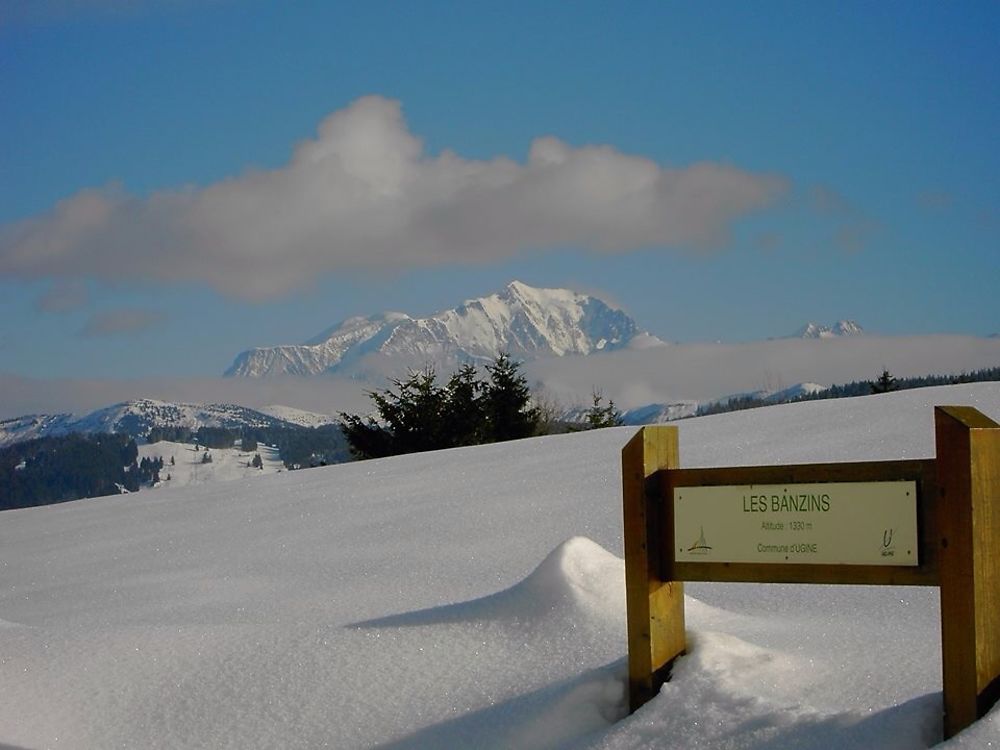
[[182, 180]]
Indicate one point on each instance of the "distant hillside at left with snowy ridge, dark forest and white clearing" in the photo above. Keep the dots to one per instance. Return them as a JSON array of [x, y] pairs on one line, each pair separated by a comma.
[[147, 443]]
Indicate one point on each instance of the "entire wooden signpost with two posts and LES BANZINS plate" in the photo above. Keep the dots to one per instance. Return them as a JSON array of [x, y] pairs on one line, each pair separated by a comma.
[[933, 522]]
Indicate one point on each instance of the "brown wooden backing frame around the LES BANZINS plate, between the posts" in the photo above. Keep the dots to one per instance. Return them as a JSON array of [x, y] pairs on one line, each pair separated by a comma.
[[923, 472]]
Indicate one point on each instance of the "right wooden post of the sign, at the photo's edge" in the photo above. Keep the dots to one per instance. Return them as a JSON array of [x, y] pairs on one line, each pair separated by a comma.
[[968, 464]]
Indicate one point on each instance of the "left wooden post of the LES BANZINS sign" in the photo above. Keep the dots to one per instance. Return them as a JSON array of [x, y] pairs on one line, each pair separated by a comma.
[[655, 607]]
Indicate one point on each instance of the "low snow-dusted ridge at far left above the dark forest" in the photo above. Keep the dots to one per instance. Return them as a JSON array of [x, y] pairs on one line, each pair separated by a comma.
[[136, 418]]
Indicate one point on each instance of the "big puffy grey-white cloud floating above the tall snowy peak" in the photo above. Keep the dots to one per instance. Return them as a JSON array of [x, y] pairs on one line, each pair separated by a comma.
[[364, 195]]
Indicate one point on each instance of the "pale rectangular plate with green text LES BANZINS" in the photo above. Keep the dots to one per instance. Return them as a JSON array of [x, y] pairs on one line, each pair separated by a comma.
[[842, 523]]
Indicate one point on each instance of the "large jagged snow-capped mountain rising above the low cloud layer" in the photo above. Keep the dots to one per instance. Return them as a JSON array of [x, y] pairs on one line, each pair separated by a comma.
[[525, 321]]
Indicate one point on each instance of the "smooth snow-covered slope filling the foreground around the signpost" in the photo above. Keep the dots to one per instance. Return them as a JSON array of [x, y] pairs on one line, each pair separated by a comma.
[[459, 599]]
